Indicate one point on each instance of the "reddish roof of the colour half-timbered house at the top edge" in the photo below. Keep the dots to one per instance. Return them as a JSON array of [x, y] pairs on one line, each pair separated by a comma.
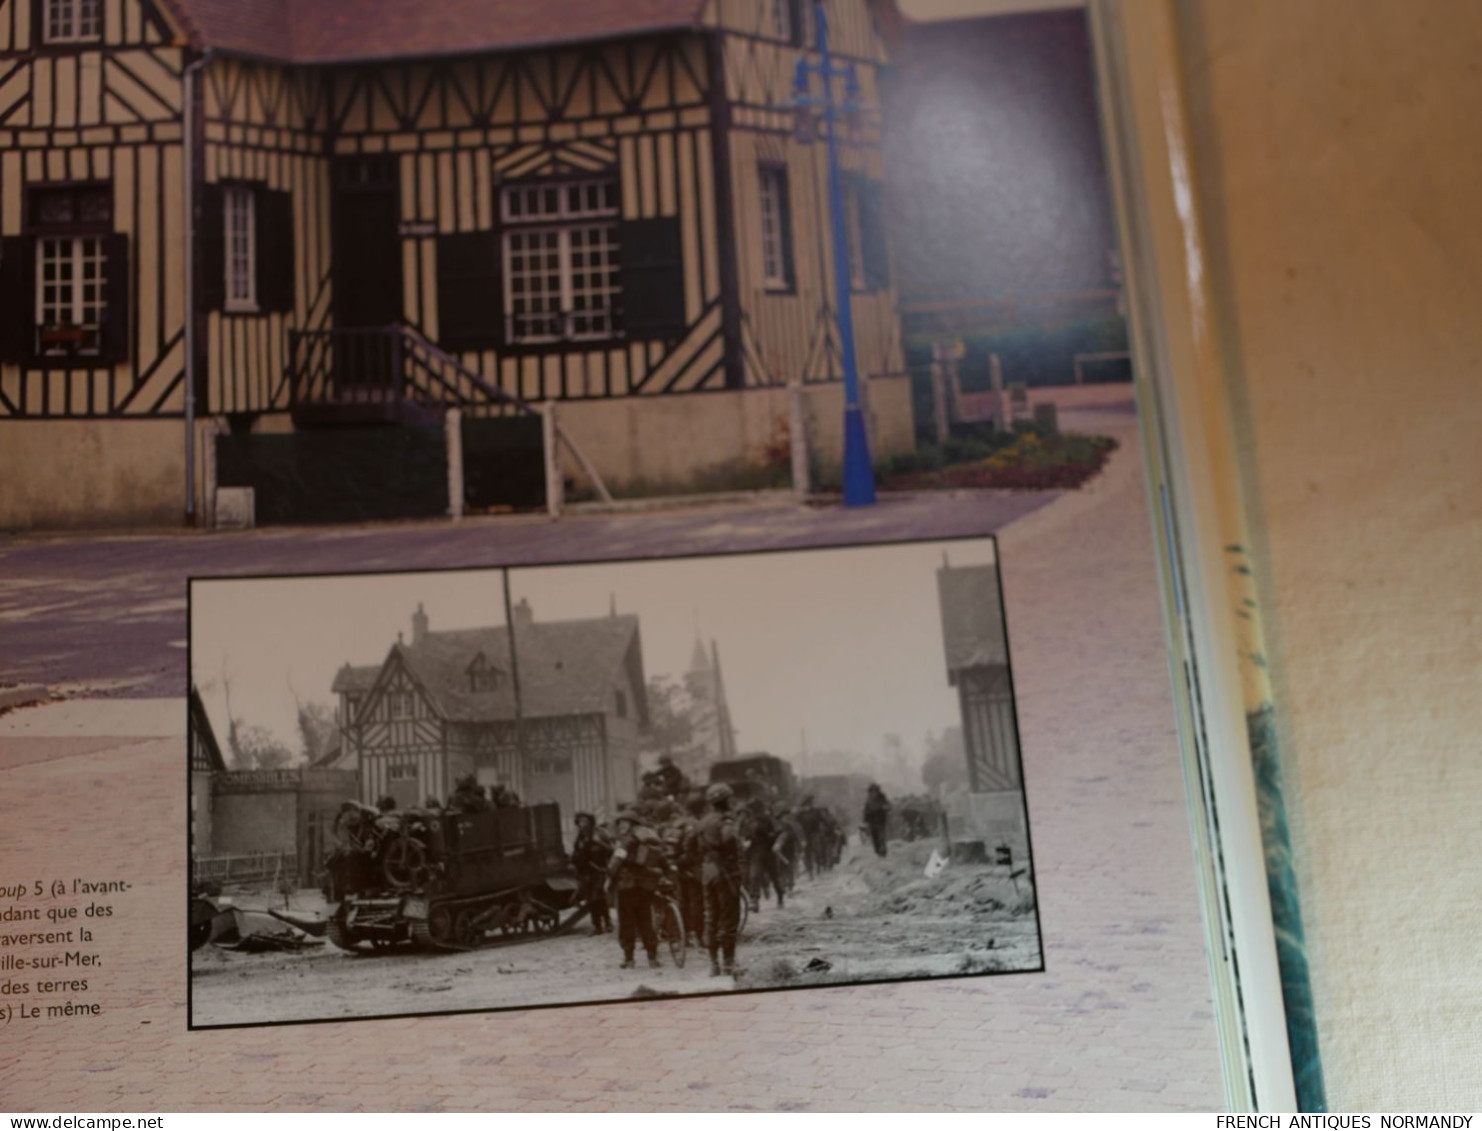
[[350, 30]]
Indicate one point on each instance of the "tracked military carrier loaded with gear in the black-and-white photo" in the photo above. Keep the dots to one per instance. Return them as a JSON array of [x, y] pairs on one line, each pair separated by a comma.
[[444, 880]]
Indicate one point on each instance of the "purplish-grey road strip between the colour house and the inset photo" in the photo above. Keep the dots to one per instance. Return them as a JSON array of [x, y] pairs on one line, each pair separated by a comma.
[[106, 614]]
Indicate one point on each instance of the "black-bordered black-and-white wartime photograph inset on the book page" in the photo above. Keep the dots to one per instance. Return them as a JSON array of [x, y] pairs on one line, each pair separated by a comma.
[[488, 789]]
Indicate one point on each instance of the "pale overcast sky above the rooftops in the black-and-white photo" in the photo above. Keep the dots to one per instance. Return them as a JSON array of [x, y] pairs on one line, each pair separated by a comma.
[[844, 644]]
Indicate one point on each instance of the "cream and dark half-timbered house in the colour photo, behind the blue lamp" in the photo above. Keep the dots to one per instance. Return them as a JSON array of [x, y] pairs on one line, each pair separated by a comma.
[[269, 217]]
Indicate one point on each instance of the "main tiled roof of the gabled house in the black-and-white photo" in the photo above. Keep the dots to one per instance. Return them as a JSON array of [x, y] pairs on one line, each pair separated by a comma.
[[567, 668]]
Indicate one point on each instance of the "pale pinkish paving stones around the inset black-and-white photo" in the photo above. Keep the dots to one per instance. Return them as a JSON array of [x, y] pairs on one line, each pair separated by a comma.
[[1120, 1021]]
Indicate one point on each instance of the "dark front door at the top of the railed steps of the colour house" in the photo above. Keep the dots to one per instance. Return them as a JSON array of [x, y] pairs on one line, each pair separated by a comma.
[[367, 272]]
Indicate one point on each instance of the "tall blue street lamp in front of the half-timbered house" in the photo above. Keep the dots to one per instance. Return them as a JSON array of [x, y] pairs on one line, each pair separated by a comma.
[[859, 474]]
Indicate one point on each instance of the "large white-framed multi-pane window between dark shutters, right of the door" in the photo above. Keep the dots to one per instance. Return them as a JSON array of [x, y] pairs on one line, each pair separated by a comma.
[[561, 262]]
